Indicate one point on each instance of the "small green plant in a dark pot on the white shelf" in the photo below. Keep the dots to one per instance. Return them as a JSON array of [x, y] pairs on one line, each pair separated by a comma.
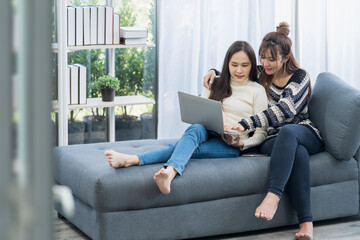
[[107, 85]]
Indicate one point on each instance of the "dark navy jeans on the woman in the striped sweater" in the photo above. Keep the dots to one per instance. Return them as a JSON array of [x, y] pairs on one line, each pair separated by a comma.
[[290, 166]]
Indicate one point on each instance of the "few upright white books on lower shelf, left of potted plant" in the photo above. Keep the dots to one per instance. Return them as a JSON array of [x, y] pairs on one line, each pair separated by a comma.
[[76, 77]]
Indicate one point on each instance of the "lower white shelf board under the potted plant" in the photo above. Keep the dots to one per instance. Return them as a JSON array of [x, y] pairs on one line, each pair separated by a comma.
[[118, 101]]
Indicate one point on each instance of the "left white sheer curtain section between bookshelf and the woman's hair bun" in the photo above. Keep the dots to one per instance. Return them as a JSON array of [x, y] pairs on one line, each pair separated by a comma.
[[193, 37]]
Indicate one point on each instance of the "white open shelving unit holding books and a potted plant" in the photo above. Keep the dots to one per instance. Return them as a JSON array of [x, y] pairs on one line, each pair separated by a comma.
[[62, 49]]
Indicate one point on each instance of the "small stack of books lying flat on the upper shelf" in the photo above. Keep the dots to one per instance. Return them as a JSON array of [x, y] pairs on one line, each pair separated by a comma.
[[133, 35]]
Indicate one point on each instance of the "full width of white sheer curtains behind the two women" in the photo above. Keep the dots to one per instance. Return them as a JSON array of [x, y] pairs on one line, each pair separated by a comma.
[[195, 34]]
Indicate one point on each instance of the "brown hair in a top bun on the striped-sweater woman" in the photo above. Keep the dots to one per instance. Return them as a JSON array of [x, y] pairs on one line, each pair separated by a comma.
[[278, 43]]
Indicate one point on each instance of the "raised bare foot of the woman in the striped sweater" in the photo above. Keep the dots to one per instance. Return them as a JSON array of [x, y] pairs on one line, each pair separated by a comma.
[[268, 207]]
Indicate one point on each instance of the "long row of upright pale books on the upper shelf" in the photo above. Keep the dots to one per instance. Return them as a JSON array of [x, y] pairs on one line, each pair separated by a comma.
[[90, 25]]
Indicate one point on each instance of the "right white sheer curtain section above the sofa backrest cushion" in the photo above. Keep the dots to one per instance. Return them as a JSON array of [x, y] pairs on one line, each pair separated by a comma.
[[329, 36]]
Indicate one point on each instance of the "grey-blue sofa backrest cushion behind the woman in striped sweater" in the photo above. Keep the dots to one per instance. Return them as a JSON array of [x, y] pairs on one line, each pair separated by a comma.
[[335, 110]]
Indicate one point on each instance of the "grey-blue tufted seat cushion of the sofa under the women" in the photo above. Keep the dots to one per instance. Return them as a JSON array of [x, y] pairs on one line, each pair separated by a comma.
[[85, 169]]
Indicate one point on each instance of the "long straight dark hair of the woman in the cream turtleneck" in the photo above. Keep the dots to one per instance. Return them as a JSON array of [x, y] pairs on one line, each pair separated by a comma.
[[221, 88]]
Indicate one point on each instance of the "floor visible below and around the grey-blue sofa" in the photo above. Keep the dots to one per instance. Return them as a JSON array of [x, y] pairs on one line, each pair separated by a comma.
[[339, 229]]
